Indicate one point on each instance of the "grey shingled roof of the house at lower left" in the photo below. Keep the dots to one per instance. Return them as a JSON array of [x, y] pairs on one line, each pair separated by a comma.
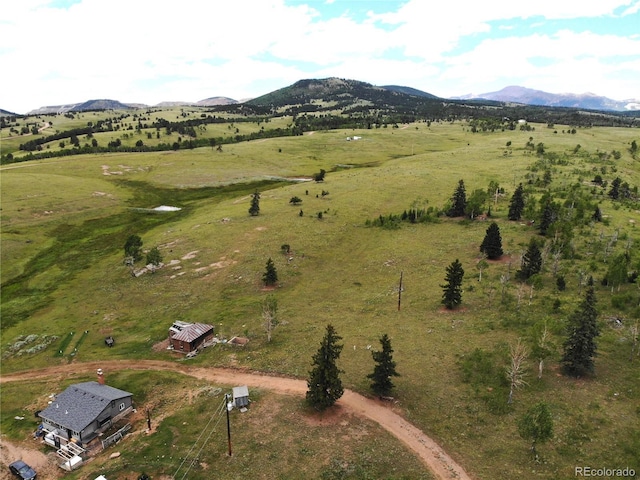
[[80, 404]]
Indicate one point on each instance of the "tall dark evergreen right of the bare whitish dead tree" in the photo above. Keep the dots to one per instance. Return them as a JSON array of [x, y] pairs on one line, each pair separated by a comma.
[[579, 346]]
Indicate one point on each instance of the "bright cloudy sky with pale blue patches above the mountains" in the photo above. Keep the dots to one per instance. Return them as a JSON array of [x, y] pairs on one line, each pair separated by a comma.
[[55, 52]]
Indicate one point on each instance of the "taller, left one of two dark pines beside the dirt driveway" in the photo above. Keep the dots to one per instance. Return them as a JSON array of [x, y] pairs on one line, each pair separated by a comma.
[[324, 384]]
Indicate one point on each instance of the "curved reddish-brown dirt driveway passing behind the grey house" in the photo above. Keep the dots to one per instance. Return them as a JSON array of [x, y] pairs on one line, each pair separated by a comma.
[[431, 454]]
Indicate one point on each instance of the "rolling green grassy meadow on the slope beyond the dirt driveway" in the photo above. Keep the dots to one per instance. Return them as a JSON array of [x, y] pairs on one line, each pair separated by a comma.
[[65, 222]]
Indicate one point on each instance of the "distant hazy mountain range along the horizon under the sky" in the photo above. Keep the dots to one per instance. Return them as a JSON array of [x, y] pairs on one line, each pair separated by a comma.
[[304, 91]]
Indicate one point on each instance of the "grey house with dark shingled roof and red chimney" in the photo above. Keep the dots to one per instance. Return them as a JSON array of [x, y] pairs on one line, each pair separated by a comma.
[[83, 411]]
